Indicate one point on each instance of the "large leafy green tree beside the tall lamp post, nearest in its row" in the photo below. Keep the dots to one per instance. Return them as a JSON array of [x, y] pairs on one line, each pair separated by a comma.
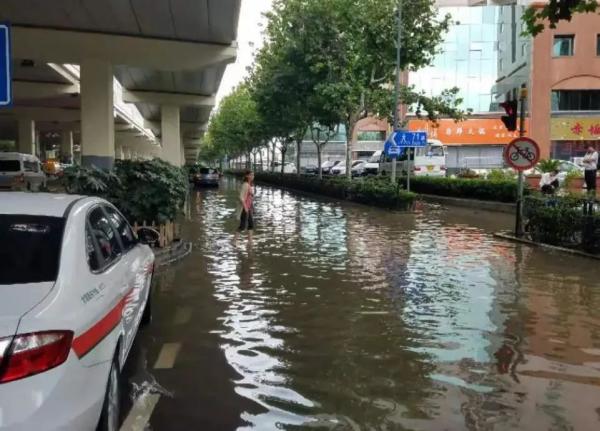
[[346, 51]]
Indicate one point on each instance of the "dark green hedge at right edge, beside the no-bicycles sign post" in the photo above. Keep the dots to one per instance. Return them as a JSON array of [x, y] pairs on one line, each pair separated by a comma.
[[562, 221]]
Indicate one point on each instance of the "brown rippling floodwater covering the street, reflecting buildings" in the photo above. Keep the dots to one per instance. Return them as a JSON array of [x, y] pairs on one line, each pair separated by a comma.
[[337, 316]]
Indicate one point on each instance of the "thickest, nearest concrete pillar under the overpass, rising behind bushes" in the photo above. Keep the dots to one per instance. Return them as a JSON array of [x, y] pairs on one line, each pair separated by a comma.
[[97, 118]]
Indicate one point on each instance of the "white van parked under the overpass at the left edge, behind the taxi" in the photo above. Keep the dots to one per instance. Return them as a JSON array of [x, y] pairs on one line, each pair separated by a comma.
[[21, 172]]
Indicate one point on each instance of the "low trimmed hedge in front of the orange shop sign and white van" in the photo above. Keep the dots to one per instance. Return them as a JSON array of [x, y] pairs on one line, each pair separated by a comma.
[[501, 190]]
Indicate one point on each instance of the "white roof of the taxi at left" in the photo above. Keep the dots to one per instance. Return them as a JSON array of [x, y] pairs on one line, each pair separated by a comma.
[[42, 204]]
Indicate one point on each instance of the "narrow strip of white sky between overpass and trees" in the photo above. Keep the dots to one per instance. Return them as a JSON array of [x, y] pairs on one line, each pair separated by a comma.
[[250, 38]]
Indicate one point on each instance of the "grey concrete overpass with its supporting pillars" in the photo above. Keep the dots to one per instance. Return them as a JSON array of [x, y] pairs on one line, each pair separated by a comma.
[[116, 79]]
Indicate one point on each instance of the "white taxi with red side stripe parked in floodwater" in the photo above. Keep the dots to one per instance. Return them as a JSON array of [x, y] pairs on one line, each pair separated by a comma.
[[74, 287]]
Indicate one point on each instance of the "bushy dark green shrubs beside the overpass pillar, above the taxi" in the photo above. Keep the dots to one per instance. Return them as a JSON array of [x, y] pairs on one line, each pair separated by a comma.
[[149, 191]]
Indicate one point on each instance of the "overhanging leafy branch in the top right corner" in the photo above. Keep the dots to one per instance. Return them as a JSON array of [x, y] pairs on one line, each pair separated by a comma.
[[537, 17]]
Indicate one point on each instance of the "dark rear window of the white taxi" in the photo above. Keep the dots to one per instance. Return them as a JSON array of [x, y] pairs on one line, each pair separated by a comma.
[[29, 248]]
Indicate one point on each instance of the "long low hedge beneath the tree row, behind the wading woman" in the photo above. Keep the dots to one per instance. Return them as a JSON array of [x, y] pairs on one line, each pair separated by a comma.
[[366, 191]]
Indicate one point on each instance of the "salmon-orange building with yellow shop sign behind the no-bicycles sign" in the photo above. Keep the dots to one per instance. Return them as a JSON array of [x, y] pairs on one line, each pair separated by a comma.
[[565, 87]]
